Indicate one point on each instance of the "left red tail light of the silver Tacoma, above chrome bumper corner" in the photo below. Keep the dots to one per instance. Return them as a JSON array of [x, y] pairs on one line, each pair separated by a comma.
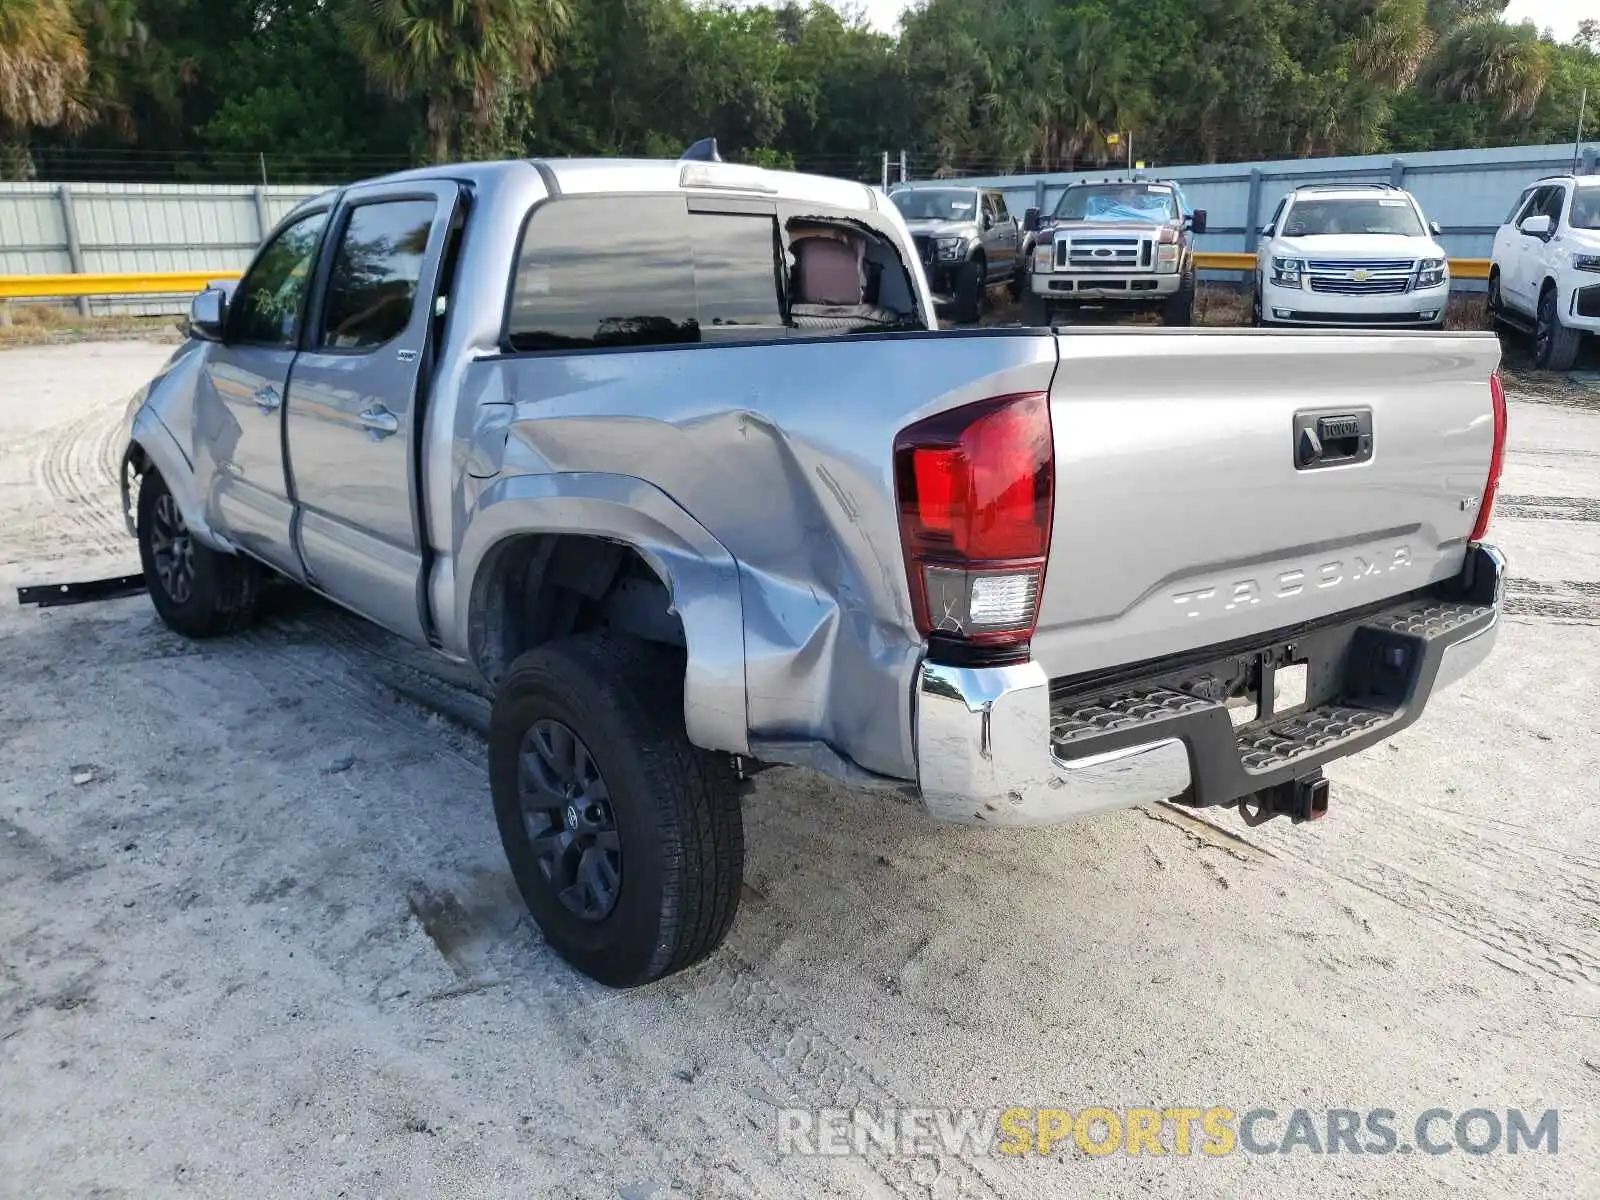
[[977, 489]]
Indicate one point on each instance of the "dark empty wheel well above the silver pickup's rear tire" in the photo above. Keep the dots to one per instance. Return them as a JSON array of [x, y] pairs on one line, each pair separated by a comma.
[[540, 586]]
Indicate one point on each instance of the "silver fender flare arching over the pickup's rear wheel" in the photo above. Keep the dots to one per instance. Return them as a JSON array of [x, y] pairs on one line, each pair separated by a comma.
[[697, 570]]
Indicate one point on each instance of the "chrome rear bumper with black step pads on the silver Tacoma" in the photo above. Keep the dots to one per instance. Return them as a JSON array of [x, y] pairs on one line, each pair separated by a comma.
[[996, 748]]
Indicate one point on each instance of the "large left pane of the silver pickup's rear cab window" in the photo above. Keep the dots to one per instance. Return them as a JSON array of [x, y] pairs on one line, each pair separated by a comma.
[[604, 271]]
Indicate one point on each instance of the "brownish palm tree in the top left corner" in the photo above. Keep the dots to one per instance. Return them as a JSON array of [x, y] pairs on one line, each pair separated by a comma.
[[44, 70]]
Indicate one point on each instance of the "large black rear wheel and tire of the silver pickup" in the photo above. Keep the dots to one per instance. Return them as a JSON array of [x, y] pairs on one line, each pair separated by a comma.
[[625, 839]]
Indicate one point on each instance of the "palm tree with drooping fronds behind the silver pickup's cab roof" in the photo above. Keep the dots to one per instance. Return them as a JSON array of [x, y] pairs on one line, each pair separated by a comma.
[[463, 58]]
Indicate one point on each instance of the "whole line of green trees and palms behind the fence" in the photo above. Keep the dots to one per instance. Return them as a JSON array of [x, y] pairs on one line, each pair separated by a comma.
[[330, 90]]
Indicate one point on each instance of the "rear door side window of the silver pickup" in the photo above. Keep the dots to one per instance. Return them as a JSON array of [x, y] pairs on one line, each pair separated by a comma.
[[375, 274]]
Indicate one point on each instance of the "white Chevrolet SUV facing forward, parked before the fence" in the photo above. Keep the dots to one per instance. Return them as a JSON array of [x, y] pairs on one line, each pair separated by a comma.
[[1351, 255]]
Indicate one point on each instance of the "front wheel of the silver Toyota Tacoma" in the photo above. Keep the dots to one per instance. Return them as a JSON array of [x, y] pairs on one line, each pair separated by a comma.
[[198, 591]]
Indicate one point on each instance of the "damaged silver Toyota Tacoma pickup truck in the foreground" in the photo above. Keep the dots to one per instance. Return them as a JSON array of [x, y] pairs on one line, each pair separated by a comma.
[[676, 457]]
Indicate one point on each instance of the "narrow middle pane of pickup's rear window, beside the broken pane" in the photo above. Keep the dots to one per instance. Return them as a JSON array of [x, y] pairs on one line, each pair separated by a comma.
[[737, 281]]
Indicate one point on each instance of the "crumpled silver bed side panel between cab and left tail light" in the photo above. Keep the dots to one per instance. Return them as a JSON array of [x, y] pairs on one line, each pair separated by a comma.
[[783, 452]]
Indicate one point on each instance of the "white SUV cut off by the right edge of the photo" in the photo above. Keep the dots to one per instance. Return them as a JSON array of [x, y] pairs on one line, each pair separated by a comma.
[[1546, 270]]
